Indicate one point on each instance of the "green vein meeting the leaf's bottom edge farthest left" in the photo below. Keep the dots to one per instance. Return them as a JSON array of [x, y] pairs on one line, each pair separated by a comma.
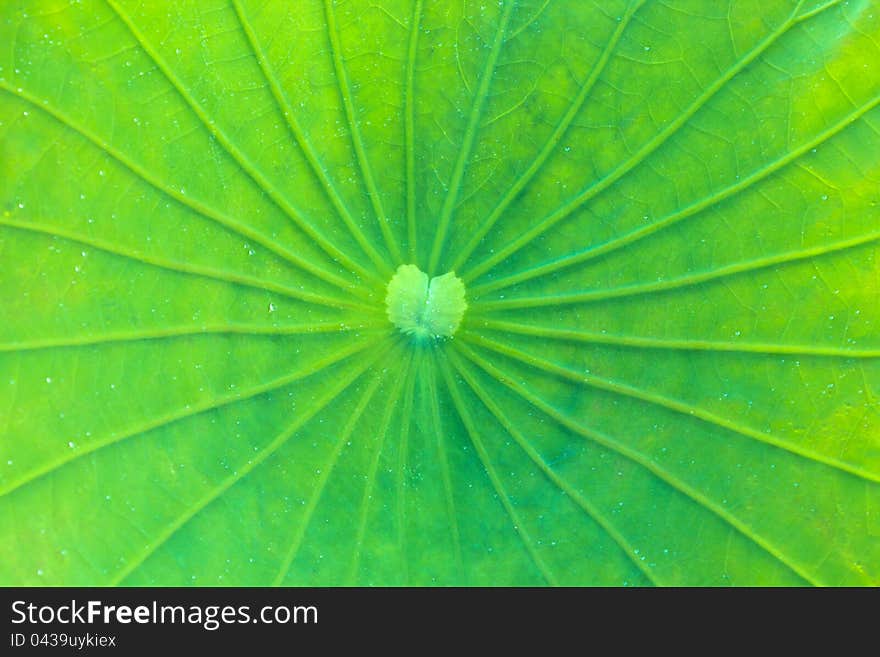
[[246, 468]]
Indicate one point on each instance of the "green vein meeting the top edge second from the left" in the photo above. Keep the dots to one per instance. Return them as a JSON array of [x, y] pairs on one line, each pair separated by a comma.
[[304, 144]]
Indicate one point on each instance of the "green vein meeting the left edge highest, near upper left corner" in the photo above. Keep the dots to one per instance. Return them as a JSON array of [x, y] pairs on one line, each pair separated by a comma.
[[200, 208]]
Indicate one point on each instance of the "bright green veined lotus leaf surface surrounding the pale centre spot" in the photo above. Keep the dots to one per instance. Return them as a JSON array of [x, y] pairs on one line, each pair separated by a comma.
[[666, 216]]
